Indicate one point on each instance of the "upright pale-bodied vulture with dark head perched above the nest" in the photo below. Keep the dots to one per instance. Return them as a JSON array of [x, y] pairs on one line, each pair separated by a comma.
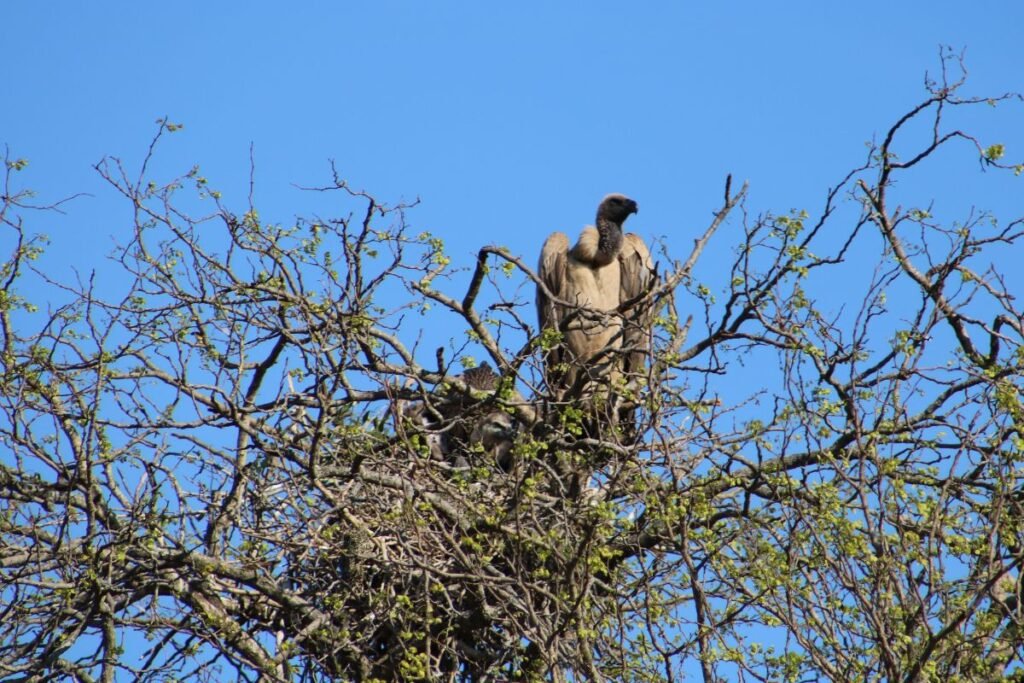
[[589, 280]]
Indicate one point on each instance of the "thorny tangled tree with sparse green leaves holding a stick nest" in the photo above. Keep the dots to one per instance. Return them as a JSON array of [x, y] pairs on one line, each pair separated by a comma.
[[226, 471]]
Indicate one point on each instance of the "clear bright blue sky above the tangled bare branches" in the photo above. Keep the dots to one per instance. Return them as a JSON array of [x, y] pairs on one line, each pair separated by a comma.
[[507, 120]]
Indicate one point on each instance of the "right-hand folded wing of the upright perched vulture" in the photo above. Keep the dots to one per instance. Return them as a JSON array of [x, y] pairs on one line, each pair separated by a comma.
[[637, 278]]
